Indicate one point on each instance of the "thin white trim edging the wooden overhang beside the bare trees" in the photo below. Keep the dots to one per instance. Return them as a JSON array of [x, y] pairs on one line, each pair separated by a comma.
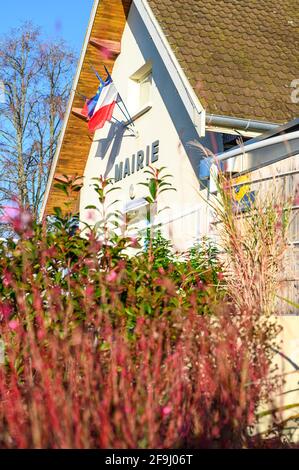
[[69, 107]]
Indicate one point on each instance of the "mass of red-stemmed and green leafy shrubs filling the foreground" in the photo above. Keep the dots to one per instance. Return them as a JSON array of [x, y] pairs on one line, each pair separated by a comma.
[[107, 350]]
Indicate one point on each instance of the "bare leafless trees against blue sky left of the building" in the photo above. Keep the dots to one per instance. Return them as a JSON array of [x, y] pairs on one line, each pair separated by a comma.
[[36, 78]]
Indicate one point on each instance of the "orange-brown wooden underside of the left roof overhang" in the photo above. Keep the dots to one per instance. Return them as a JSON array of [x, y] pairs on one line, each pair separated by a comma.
[[105, 35]]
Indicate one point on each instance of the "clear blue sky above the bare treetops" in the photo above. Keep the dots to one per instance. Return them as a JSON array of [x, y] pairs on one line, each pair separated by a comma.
[[65, 18]]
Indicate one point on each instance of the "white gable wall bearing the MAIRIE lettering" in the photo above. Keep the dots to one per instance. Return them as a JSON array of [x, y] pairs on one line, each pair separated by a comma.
[[168, 122]]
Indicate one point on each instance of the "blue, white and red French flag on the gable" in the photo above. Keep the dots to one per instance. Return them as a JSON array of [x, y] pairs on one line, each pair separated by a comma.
[[99, 109]]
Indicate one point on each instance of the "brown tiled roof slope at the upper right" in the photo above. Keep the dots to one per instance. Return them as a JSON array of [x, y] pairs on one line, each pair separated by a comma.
[[240, 56]]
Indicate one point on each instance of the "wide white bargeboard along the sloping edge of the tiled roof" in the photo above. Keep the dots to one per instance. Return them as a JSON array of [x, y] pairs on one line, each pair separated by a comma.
[[181, 82]]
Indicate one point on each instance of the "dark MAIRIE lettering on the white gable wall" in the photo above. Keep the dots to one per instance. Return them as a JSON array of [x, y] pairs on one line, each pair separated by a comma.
[[137, 162]]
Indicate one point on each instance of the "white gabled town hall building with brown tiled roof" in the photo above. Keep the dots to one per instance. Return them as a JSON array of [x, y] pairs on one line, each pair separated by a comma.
[[194, 77]]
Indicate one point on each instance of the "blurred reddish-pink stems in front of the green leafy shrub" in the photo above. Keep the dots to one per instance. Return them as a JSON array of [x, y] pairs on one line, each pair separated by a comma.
[[182, 381]]
